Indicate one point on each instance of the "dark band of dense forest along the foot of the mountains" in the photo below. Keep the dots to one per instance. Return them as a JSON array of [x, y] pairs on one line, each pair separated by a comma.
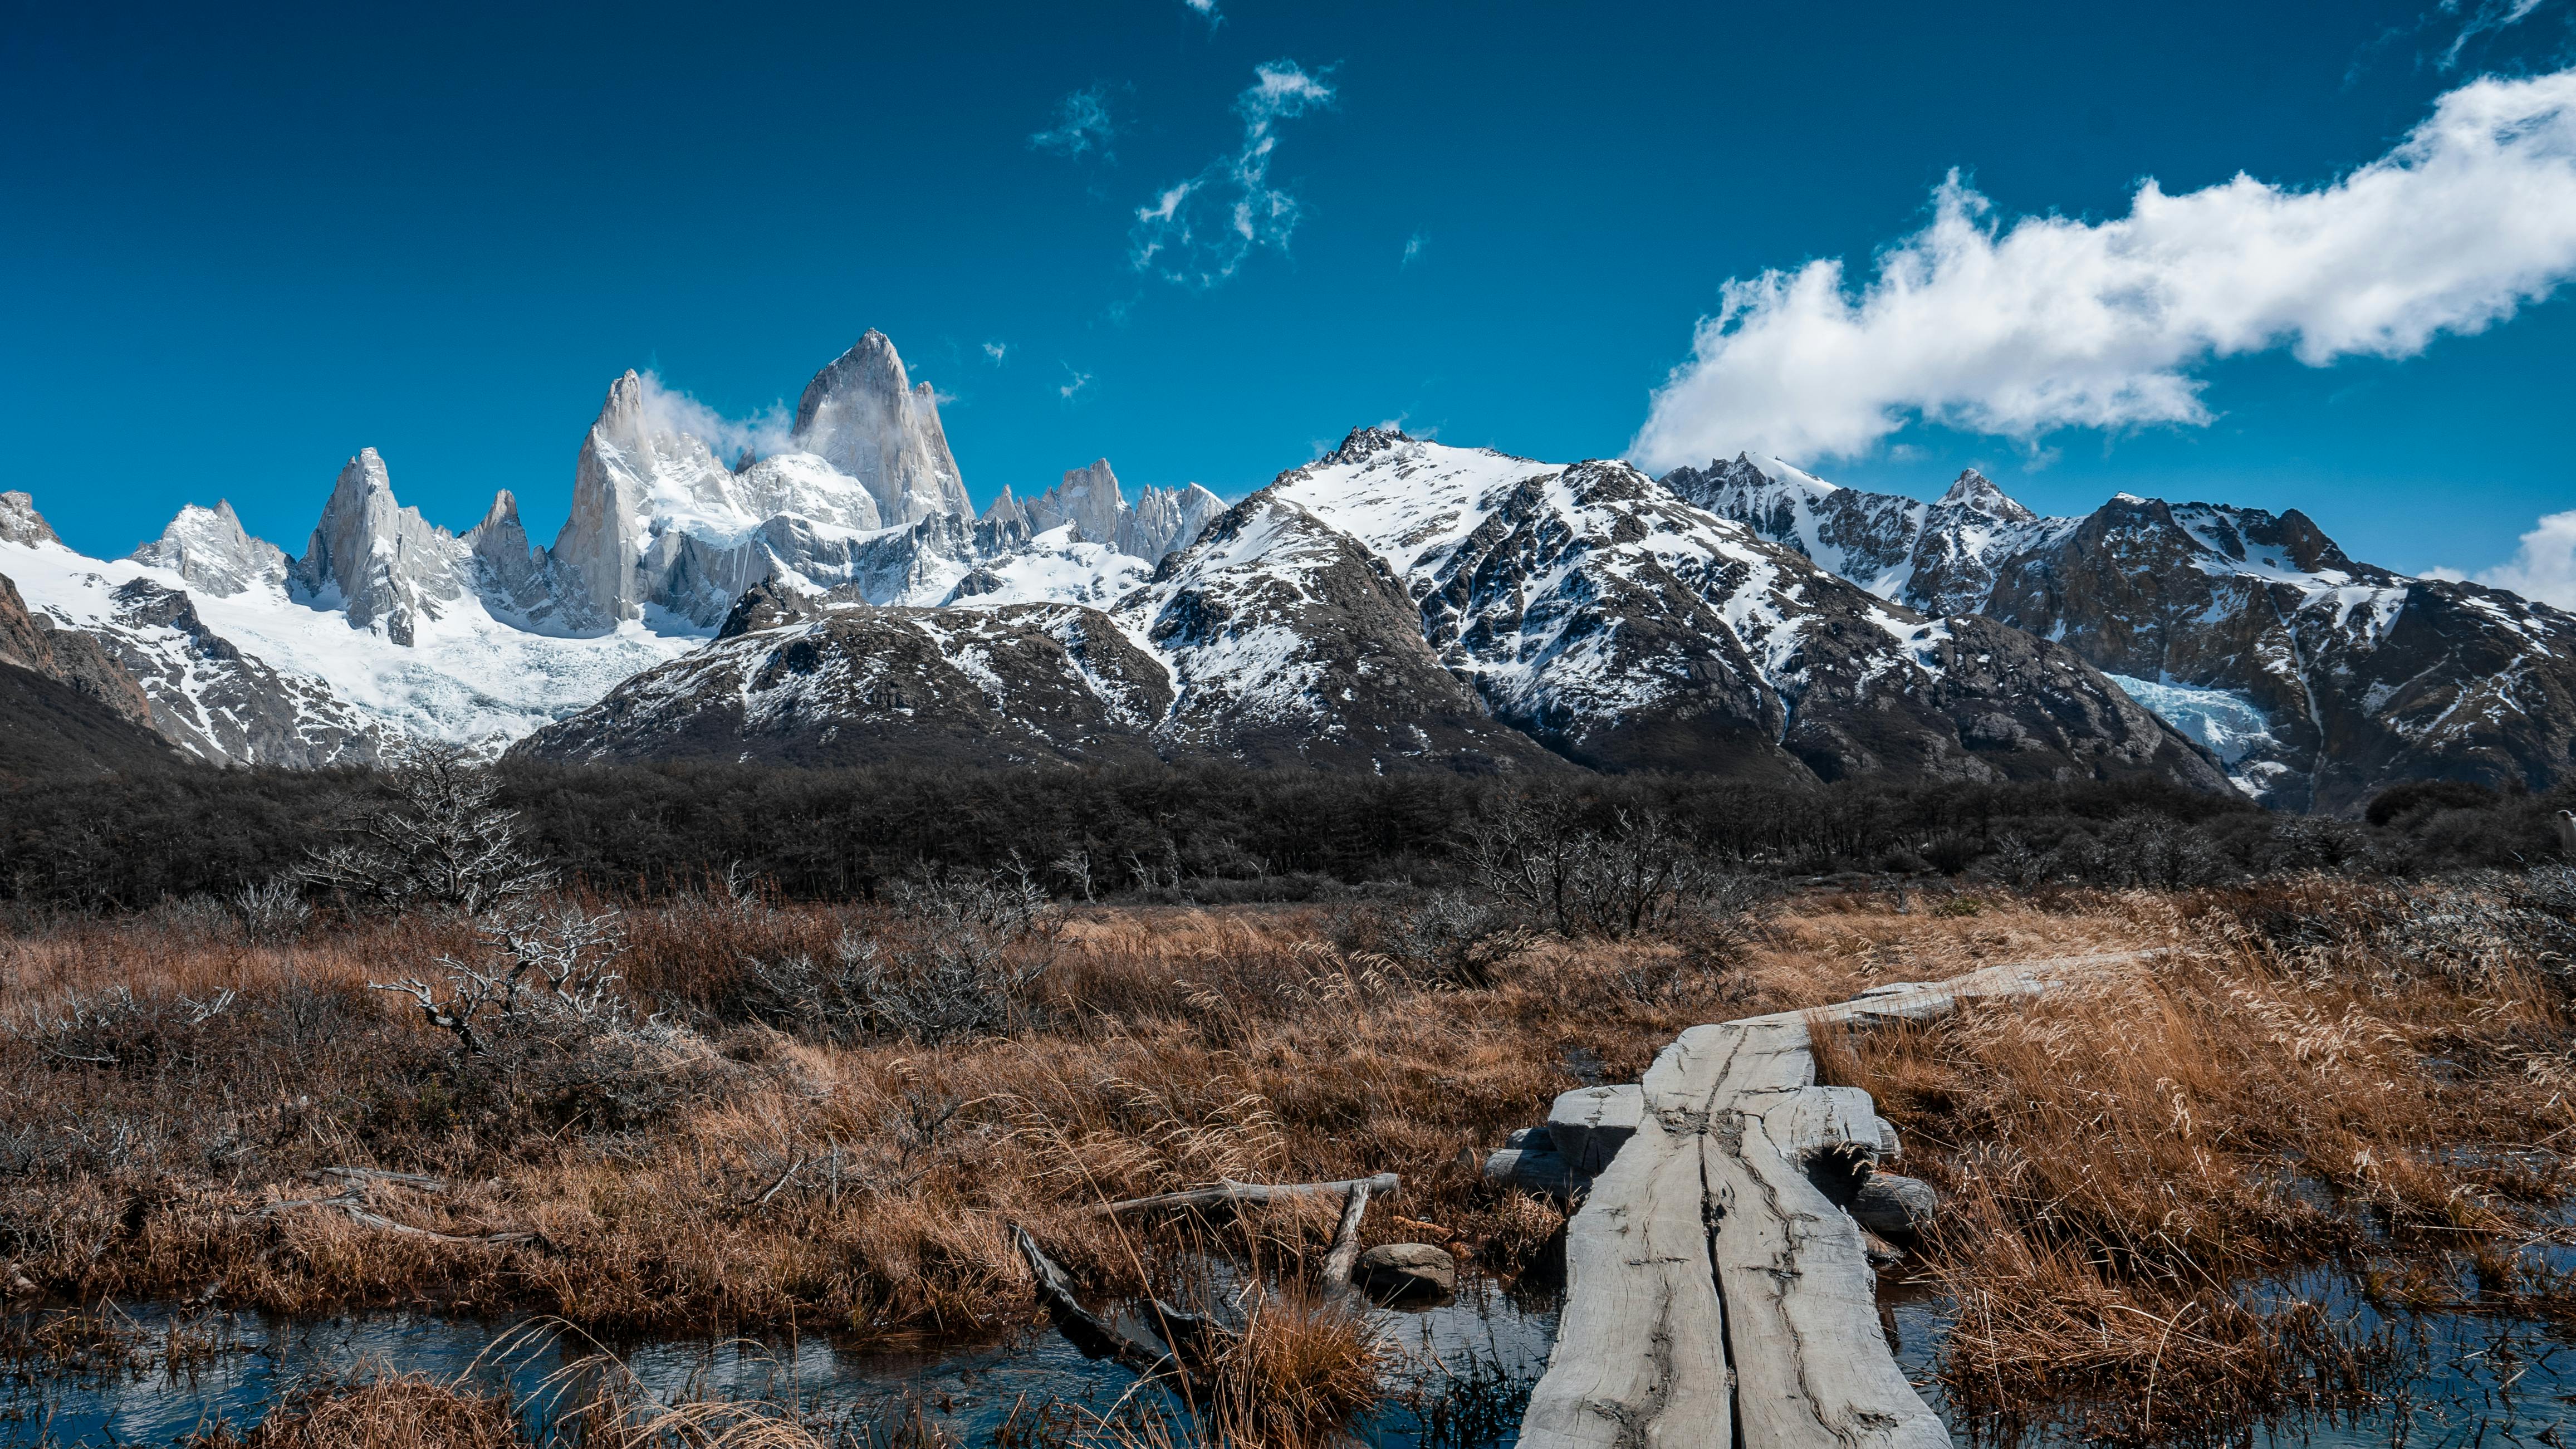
[[1217, 834]]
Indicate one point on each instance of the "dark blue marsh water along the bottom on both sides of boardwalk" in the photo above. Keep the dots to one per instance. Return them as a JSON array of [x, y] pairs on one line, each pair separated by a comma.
[[1462, 1373]]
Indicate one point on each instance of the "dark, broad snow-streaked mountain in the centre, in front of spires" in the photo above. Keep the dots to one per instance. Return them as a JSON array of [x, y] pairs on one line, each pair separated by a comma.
[[1413, 605]]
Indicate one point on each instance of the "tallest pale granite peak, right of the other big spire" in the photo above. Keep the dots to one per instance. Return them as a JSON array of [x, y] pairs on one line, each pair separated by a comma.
[[872, 422]]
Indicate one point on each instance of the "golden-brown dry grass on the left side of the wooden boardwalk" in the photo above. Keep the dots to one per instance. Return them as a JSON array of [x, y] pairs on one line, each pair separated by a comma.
[[854, 1187]]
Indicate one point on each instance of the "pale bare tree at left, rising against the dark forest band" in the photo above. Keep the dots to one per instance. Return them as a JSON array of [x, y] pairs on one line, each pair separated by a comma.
[[437, 844]]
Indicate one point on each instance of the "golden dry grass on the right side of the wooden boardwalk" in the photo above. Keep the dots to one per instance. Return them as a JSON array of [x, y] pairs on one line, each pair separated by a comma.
[[2317, 1082]]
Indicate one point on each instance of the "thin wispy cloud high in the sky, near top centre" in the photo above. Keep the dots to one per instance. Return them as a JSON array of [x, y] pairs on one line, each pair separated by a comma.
[[1202, 231]]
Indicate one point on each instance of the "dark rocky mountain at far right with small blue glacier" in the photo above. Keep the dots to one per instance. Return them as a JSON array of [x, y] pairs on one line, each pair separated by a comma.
[[2315, 677]]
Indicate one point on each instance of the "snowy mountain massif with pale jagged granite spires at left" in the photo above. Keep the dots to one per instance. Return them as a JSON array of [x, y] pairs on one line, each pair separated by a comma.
[[390, 625]]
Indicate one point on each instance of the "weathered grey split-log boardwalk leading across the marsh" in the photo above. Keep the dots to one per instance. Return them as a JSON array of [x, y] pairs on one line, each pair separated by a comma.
[[1714, 1293]]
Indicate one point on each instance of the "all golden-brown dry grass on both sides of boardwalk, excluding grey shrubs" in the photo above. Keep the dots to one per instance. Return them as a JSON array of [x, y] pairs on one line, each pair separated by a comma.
[[2371, 1082]]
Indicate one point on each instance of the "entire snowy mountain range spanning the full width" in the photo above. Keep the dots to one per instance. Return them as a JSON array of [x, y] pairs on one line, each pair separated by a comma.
[[1392, 605]]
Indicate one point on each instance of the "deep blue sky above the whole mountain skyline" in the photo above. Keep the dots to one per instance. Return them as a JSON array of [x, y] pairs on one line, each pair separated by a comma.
[[241, 246]]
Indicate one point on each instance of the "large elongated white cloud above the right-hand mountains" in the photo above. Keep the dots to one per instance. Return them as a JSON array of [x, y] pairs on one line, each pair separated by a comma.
[[2057, 324]]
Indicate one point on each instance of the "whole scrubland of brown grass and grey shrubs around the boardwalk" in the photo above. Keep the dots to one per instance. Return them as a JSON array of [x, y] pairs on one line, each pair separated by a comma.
[[728, 1113]]
